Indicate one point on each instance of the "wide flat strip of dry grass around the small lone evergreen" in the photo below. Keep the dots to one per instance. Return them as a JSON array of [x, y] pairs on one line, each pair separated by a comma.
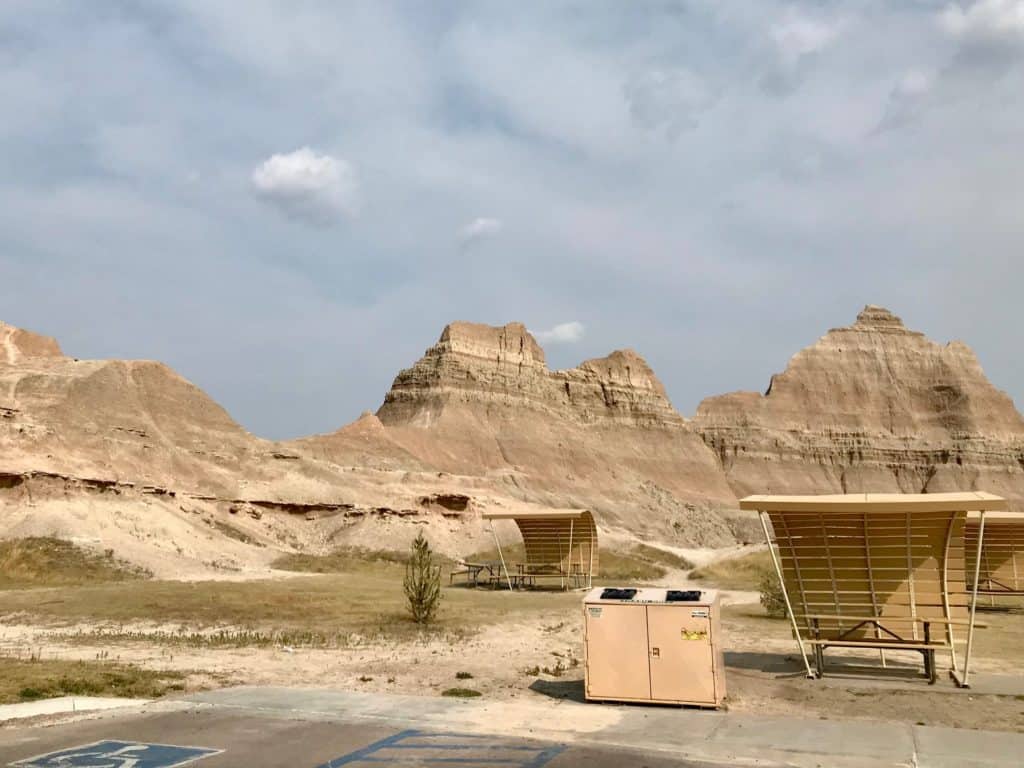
[[369, 603]]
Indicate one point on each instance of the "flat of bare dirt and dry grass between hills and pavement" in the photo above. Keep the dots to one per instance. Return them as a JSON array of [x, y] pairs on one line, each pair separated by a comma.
[[505, 647]]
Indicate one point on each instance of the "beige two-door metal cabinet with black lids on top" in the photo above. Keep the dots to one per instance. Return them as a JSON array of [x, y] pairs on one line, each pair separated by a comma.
[[654, 646]]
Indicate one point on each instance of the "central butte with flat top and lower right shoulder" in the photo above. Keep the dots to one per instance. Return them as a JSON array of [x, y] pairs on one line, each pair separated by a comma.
[[603, 436]]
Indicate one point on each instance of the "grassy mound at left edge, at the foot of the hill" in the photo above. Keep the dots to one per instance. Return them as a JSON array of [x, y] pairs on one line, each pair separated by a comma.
[[48, 562]]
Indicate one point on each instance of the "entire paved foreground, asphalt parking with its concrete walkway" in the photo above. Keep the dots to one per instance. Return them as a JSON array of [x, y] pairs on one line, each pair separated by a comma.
[[254, 728]]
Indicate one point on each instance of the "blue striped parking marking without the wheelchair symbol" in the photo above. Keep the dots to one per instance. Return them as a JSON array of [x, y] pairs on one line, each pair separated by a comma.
[[465, 750]]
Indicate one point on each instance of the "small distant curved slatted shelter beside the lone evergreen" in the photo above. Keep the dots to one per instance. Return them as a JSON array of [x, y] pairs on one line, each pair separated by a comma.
[[559, 544]]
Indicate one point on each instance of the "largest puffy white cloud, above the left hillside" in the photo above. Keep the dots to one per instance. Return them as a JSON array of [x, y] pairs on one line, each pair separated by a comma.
[[316, 189]]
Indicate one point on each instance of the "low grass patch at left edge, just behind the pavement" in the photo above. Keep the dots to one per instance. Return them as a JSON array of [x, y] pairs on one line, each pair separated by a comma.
[[31, 679]]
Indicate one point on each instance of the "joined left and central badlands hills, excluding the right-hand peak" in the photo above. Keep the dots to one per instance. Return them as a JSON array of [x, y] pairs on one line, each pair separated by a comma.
[[127, 455]]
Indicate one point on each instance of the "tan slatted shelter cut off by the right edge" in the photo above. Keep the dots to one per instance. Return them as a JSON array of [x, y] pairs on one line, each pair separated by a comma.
[[1002, 571]]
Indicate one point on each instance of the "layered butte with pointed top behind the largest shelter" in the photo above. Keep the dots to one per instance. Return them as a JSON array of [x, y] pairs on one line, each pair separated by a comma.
[[871, 407]]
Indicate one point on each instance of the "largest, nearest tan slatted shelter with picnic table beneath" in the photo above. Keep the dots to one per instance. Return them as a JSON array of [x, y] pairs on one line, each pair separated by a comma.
[[876, 571]]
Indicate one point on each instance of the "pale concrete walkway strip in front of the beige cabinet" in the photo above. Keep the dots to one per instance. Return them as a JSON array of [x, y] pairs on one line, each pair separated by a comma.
[[714, 738]]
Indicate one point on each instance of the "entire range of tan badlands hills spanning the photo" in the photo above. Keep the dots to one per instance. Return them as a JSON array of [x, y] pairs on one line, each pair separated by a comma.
[[133, 457]]
